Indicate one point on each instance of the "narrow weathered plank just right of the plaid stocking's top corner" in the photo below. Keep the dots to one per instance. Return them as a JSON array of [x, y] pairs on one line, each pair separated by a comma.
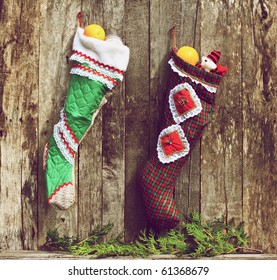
[[232, 110]]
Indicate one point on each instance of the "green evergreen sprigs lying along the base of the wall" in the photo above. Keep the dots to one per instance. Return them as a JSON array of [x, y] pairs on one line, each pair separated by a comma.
[[195, 238]]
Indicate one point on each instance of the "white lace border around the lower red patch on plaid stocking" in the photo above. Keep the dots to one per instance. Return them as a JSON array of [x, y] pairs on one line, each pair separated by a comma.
[[167, 159]]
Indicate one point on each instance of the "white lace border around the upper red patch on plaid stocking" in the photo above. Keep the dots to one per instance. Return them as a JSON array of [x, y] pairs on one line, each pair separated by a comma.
[[176, 116]]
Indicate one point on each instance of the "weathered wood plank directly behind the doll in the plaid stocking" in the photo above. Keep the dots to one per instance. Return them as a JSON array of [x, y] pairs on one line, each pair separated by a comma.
[[213, 194]]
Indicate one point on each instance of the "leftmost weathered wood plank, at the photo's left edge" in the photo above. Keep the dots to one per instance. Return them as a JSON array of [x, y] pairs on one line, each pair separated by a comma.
[[11, 112]]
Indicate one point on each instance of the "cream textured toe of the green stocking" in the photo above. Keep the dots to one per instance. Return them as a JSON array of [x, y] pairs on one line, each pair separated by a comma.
[[64, 197]]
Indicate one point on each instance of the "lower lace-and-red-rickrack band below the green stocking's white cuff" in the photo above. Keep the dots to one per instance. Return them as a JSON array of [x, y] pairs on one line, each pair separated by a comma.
[[93, 75]]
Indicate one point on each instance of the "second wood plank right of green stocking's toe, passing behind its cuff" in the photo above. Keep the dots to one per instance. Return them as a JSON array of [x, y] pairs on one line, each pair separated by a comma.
[[114, 133]]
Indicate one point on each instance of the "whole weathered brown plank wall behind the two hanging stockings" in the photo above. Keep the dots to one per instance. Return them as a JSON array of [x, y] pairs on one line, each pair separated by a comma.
[[233, 169]]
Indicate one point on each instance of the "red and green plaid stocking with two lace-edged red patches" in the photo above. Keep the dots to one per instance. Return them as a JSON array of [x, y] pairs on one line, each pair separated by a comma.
[[189, 103]]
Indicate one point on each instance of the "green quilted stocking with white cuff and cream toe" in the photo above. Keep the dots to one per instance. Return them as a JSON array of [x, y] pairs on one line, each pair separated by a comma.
[[98, 66]]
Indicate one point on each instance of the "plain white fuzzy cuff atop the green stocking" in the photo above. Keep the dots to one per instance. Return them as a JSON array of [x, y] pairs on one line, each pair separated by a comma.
[[105, 52]]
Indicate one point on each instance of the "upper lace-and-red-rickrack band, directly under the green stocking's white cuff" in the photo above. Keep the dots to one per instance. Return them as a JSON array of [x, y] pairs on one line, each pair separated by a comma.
[[95, 65]]
